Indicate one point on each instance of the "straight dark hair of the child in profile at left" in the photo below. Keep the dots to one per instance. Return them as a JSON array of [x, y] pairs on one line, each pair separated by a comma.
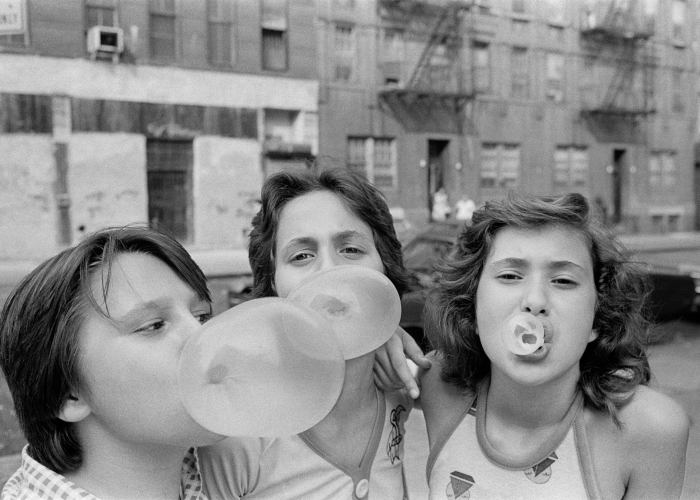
[[39, 328]]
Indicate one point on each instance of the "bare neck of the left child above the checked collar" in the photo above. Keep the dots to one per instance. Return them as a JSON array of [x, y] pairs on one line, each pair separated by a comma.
[[115, 470]]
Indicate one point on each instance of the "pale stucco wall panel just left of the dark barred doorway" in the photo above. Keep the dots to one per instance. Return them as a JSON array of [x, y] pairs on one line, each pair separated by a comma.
[[106, 181]]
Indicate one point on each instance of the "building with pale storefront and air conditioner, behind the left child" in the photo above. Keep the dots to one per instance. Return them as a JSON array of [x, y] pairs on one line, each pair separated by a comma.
[[168, 112]]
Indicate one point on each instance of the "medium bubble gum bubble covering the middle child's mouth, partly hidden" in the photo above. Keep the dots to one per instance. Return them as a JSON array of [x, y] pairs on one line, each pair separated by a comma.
[[361, 304]]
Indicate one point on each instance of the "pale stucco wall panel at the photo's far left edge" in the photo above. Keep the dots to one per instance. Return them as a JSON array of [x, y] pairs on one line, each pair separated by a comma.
[[27, 202]]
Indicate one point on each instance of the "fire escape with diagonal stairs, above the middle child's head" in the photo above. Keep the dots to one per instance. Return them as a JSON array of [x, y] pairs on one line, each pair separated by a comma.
[[433, 97]]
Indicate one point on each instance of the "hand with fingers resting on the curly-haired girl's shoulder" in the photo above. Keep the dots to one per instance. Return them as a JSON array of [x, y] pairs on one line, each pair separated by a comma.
[[397, 363]]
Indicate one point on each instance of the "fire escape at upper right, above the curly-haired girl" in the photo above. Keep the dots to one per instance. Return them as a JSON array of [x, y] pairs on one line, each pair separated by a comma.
[[620, 41]]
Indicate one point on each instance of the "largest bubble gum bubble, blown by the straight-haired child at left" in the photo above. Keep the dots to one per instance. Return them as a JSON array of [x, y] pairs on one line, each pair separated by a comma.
[[264, 368]]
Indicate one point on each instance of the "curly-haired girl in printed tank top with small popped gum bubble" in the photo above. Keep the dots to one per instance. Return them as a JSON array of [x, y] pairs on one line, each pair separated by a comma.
[[538, 385]]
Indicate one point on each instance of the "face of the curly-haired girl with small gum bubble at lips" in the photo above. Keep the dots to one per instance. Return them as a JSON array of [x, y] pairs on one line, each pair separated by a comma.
[[547, 273]]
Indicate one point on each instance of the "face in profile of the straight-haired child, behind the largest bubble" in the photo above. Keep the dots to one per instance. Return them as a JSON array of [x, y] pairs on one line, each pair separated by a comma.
[[128, 361]]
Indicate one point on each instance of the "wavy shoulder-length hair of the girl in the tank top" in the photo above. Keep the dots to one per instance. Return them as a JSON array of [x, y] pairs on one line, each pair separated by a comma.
[[612, 365]]
